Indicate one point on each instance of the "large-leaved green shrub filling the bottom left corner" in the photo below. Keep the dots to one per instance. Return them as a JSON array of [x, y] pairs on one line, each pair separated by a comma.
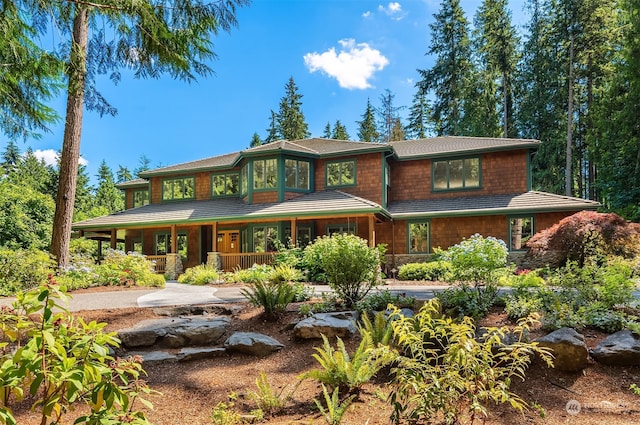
[[62, 360]]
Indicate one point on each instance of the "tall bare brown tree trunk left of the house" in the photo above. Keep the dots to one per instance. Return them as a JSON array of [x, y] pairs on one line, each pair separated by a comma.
[[71, 143]]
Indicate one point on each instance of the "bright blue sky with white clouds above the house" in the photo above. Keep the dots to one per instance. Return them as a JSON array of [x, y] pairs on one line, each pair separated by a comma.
[[340, 53]]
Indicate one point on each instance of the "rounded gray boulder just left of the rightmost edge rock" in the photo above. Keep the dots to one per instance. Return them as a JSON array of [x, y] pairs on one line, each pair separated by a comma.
[[569, 350]]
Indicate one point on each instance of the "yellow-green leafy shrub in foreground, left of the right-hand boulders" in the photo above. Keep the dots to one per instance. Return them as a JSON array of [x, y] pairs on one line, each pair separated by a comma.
[[445, 370]]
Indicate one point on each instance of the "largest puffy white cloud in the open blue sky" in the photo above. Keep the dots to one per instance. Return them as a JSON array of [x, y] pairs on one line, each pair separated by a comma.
[[353, 66]]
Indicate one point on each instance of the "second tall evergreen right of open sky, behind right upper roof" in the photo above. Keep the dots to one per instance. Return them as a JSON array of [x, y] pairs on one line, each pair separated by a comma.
[[497, 41]]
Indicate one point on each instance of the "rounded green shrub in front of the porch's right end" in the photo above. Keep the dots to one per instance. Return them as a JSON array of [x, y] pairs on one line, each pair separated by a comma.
[[350, 265]]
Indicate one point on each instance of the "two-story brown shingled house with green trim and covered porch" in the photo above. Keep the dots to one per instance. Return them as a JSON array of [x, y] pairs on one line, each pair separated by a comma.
[[411, 195]]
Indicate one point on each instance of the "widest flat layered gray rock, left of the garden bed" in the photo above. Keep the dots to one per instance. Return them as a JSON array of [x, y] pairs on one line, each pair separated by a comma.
[[175, 332]]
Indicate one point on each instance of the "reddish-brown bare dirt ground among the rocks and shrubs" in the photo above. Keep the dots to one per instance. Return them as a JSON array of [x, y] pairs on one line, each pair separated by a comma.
[[190, 390]]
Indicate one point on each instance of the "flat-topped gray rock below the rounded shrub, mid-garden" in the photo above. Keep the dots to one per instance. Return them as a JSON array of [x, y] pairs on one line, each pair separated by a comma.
[[342, 324]]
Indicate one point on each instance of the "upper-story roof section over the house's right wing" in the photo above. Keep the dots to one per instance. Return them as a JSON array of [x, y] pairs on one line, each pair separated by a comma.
[[448, 145]]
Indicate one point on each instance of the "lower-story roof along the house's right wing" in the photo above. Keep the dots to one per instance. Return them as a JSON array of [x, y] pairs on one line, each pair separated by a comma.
[[520, 203]]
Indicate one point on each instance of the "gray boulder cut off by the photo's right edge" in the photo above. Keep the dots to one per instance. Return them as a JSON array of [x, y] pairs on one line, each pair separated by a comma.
[[618, 349]]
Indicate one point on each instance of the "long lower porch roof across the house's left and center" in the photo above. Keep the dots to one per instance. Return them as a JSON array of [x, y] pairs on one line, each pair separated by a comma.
[[325, 203]]
